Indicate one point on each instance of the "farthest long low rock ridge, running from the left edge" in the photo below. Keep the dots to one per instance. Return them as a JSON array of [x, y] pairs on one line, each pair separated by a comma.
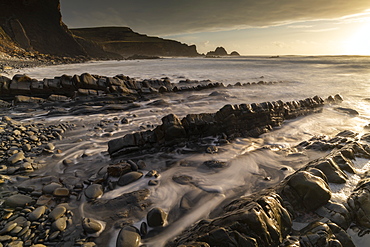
[[96, 85]]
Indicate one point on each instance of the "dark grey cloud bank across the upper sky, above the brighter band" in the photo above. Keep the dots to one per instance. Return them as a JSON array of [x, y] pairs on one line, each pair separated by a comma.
[[165, 17]]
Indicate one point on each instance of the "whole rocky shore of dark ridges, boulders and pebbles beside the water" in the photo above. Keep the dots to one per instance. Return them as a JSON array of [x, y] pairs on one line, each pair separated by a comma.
[[41, 207]]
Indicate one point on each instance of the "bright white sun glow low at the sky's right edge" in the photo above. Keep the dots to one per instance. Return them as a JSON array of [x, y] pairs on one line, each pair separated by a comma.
[[359, 42]]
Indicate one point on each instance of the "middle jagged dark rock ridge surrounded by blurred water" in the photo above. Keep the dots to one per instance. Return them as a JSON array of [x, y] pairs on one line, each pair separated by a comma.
[[229, 122]]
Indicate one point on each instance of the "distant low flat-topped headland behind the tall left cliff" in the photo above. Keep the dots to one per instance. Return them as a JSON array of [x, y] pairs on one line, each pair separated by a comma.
[[125, 42]]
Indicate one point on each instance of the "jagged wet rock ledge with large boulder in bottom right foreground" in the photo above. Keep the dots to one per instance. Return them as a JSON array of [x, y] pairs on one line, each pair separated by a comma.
[[266, 218]]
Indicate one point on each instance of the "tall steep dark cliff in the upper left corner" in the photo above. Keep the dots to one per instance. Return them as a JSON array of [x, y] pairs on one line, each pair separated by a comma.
[[36, 25]]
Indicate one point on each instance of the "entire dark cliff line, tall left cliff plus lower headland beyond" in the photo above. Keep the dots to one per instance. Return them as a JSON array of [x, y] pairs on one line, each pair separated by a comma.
[[36, 26]]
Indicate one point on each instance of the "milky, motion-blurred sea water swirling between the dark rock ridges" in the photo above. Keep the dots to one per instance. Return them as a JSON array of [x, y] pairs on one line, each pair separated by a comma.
[[249, 164]]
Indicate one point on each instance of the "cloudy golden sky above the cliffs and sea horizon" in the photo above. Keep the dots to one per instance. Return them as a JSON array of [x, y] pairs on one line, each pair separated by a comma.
[[251, 27]]
